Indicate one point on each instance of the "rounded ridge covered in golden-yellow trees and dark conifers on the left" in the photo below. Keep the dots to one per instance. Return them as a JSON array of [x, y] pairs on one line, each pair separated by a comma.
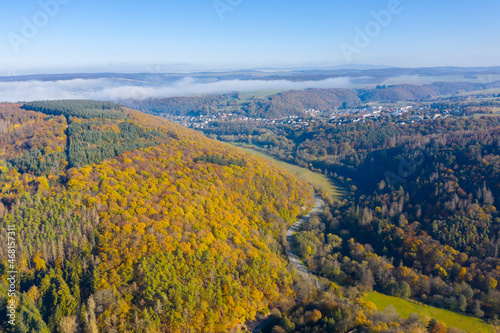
[[129, 223]]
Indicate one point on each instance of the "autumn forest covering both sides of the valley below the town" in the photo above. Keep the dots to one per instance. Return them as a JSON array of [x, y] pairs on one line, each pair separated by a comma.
[[126, 222]]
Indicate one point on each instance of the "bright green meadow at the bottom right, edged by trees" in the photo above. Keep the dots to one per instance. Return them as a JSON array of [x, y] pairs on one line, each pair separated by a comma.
[[405, 308]]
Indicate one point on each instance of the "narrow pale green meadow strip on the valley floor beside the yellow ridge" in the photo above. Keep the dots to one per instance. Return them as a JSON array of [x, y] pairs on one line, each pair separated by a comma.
[[314, 178]]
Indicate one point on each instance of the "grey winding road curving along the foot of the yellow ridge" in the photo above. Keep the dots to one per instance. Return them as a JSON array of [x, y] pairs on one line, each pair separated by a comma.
[[294, 259]]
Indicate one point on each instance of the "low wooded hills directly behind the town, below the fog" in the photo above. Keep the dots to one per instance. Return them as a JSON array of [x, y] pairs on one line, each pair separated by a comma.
[[295, 102]]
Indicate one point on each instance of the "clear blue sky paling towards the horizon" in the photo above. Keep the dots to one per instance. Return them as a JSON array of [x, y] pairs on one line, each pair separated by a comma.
[[126, 35]]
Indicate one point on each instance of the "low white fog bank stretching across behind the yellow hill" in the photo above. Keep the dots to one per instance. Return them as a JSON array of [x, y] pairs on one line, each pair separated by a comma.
[[113, 90]]
